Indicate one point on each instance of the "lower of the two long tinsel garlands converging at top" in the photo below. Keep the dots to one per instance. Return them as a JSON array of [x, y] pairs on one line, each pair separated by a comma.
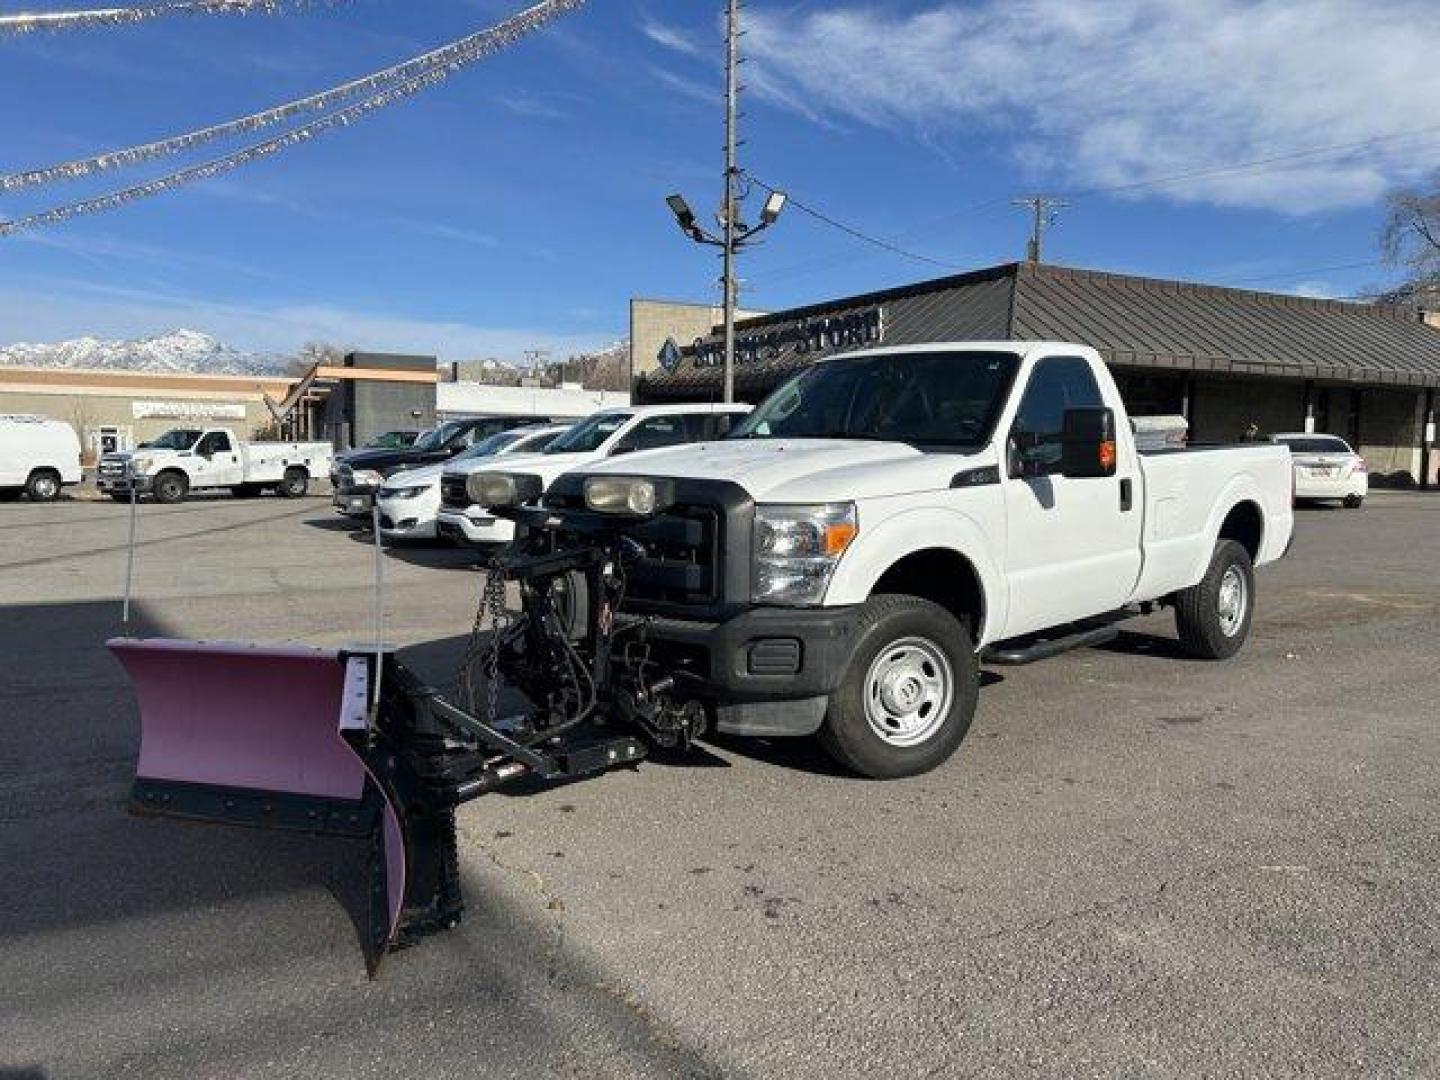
[[300, 135]]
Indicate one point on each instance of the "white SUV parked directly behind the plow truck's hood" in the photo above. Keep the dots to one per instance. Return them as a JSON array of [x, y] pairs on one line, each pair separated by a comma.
[[601, 436]]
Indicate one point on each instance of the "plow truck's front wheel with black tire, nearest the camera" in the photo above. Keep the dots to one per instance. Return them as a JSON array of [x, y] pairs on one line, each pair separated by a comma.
[[924, 633]]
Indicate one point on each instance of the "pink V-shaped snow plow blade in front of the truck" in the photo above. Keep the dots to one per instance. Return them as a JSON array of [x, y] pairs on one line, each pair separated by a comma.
[[266, 737]]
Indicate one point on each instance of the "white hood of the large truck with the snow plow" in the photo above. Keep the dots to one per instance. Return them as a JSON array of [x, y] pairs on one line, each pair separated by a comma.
[[801, 470]]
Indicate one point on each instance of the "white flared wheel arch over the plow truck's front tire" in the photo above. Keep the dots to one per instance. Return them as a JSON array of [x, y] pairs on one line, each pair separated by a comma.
[[938, 554]]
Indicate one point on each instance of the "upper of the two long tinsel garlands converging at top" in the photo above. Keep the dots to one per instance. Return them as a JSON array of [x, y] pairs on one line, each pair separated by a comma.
[[449, 58]]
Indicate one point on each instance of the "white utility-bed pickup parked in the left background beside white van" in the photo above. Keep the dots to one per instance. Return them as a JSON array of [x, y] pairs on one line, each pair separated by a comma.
[[189, 460]]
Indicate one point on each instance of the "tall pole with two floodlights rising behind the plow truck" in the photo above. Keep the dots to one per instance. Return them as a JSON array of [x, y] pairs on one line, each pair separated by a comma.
[[734, 233]]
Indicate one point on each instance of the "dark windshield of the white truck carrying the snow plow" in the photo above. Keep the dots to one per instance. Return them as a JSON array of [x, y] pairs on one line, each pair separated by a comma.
[[925, 400]]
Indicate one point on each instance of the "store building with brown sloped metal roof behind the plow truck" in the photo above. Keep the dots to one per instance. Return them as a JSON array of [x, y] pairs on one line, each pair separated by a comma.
[[1225, 358]]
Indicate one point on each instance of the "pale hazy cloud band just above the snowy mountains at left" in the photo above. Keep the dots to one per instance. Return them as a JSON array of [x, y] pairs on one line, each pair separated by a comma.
[[70, 309]]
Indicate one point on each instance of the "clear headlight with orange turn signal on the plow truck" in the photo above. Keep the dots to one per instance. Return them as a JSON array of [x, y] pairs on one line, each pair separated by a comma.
[[796, 551]]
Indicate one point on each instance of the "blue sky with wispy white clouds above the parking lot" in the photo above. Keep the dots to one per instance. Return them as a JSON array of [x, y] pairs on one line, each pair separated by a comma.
[[521, 205]]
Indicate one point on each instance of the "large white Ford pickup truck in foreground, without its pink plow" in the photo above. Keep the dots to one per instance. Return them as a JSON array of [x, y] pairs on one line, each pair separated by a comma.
[[888, 521]]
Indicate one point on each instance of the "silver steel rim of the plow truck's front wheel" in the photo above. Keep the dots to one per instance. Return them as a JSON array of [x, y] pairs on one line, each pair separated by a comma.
[[909, 689]]
